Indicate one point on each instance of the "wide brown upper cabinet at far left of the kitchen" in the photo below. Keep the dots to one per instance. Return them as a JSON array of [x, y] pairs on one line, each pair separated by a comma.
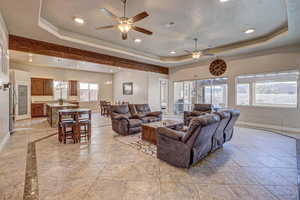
[[41, 87]]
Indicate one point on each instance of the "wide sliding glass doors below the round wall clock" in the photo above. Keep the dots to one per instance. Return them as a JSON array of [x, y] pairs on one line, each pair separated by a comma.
[[210, 91]]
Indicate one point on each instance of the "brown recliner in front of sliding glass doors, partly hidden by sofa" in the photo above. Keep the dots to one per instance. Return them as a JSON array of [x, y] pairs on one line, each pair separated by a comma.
[[199, 109]]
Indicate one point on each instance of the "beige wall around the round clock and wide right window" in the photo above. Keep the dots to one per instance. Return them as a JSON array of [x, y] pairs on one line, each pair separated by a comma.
[[278, 118]]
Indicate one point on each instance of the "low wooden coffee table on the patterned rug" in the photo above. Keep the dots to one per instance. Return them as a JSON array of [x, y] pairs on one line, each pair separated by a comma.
[[149, 132]]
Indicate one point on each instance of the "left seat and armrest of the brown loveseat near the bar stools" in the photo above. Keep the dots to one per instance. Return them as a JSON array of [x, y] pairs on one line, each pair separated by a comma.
[[123, 122]]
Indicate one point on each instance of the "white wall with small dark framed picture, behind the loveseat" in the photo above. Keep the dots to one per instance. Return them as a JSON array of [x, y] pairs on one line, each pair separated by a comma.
[[146, 88]]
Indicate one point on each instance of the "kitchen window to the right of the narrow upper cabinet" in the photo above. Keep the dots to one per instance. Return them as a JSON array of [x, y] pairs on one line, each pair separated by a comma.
[[88, 92]]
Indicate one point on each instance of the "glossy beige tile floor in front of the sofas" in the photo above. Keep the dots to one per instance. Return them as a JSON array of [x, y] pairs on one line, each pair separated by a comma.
[[255, 165]]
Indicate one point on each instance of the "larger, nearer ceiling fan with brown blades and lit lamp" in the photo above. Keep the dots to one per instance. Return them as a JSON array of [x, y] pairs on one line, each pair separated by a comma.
[[125, 24]]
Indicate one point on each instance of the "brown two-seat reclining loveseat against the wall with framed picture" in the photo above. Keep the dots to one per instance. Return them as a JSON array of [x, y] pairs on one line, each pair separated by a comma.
[[128, 119]]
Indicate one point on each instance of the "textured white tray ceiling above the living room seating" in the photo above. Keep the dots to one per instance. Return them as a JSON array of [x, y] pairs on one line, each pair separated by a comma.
[[212, 22]]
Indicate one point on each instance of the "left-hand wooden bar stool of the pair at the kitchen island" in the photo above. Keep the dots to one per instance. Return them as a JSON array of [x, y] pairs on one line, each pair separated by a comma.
[[67, 126]]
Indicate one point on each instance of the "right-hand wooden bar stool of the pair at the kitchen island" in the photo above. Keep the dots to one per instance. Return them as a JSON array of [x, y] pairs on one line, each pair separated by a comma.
[[84, 124]]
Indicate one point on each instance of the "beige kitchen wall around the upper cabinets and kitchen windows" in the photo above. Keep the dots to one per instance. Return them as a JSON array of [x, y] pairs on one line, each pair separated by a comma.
[[66, 74]]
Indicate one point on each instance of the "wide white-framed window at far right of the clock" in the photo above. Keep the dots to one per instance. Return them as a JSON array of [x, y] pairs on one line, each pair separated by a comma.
[[273, 89]]
